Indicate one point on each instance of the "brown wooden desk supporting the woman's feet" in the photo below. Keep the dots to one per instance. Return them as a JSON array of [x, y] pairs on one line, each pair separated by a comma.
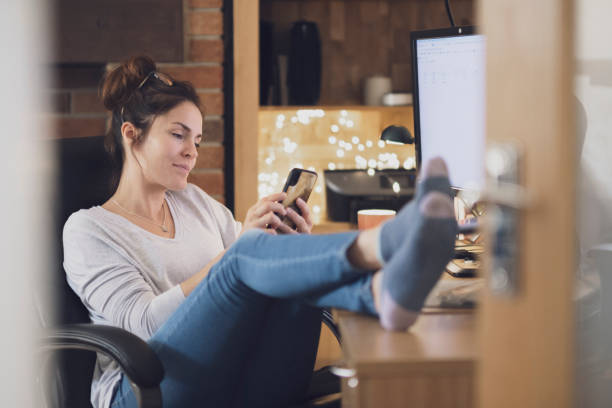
[[431, 365]]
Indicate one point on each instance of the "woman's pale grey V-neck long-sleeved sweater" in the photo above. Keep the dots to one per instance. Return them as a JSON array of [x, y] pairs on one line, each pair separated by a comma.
[[130, 278]]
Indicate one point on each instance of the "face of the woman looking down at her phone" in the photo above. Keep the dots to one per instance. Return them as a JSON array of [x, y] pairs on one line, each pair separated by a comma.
[[169, 150]]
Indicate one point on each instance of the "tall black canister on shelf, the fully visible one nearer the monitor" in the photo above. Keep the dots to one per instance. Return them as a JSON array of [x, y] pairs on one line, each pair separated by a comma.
[[304, 72]]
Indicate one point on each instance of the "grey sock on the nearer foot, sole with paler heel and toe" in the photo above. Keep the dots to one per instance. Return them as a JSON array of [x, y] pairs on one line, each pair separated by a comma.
[[416, 266]]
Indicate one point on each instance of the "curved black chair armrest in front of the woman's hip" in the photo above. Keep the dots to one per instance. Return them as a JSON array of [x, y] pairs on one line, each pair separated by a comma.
[[134, 356]]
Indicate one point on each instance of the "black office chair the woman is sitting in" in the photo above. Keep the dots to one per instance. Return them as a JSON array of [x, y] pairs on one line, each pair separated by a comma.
[[69, 340]]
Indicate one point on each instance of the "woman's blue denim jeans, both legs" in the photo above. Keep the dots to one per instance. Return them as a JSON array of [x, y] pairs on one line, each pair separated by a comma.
[[247, 335]]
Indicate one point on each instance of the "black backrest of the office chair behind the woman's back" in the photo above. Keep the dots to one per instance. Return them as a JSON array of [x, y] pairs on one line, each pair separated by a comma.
[[83, 180]]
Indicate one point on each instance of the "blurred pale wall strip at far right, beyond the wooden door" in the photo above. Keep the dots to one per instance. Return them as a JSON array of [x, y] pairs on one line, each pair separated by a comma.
[[594, 221]]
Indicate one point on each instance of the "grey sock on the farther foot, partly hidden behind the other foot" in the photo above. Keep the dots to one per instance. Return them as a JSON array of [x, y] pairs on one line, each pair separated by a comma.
[[434, 178]]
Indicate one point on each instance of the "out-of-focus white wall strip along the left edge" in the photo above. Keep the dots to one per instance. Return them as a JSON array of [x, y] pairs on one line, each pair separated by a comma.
[[24, 208]]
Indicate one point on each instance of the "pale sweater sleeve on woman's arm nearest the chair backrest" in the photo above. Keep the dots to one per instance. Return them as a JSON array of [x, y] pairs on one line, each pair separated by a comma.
[[110, 286]]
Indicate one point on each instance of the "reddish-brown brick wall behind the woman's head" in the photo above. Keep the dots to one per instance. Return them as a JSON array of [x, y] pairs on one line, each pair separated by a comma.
[[77, 110]]
